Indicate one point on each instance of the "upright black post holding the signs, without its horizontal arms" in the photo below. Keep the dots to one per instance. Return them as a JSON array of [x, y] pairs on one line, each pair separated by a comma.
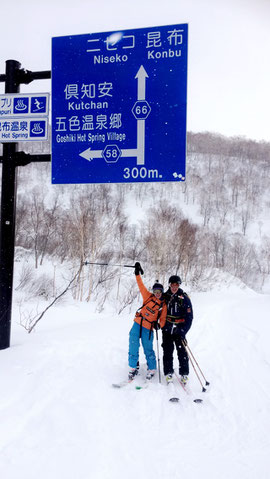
[[7, 226]]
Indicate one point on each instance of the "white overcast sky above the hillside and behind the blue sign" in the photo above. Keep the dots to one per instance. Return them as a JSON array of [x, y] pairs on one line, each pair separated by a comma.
[[229, 50]]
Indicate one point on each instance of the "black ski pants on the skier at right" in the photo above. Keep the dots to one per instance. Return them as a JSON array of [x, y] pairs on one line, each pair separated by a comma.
[[169, 339]]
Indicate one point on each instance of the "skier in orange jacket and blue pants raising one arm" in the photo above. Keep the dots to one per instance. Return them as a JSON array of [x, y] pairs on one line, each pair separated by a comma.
[[146, 319]]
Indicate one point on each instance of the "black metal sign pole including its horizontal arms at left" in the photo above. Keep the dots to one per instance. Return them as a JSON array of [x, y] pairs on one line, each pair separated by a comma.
[[10, 159]]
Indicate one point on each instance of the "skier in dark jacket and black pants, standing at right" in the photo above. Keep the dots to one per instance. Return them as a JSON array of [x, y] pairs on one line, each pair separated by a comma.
[[178, 322]]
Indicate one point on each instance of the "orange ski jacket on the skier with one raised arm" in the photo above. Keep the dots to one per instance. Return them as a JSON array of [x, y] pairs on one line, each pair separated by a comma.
[[152, 308]]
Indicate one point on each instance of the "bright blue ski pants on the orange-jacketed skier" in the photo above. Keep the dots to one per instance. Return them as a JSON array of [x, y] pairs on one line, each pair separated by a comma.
[[147, 344]]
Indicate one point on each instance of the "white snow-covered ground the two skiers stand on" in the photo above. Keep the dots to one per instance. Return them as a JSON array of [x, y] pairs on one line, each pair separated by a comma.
[[61, 418]]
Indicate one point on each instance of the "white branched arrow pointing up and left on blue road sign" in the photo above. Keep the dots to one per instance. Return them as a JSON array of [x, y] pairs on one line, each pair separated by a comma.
[[139, 151]]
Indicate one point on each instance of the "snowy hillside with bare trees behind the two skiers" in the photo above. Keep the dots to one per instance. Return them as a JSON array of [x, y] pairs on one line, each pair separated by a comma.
[[218, 219]]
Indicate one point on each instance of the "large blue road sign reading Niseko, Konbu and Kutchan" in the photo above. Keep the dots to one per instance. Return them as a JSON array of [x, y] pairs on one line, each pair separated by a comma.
[[119, 106]]
